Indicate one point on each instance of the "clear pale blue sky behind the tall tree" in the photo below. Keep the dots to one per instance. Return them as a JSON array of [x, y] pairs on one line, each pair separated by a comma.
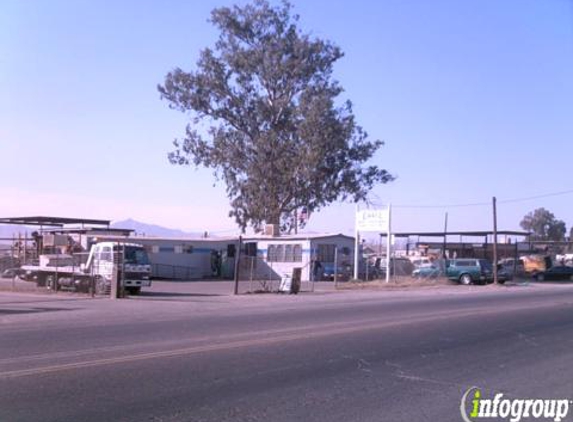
[[474, 99]]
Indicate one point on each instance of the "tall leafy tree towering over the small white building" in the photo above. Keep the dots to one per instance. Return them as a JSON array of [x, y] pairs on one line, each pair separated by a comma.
[[266, 117]]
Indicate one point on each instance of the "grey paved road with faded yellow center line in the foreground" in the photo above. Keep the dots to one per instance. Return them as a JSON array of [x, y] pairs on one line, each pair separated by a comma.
[[352, 356]]
